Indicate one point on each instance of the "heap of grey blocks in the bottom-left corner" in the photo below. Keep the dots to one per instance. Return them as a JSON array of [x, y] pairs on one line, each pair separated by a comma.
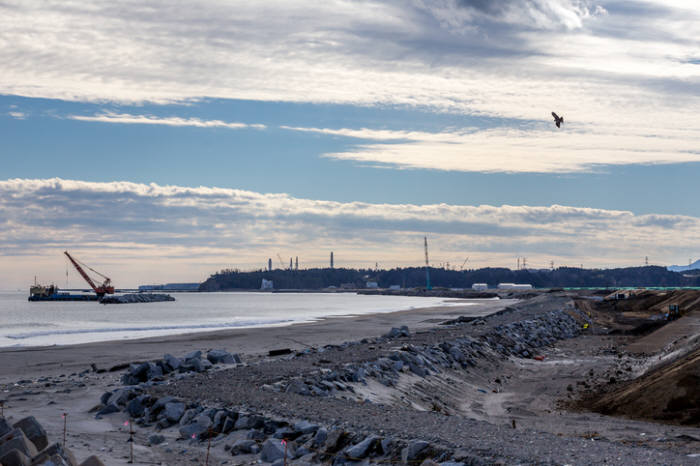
[[25, 443]]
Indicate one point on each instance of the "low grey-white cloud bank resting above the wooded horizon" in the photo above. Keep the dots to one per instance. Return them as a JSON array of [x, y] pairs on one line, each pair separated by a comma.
[[175, 232]]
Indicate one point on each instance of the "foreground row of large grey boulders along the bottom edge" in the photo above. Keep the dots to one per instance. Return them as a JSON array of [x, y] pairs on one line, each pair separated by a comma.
[[305, 441]]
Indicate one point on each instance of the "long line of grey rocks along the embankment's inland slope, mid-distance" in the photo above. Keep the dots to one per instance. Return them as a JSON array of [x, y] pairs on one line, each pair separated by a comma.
[[517, 339]]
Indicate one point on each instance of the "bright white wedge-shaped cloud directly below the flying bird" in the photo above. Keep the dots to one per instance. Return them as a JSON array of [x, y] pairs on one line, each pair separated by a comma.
[[537, 150]]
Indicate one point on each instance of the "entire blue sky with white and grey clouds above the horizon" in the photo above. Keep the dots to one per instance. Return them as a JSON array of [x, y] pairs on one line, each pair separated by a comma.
[[164, 141]]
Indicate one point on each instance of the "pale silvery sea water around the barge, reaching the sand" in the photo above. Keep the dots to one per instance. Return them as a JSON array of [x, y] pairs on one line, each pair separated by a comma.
[[24, 323]]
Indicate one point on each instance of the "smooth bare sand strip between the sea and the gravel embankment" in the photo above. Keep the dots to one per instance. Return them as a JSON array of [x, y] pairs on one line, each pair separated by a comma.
[[30, 362]]
